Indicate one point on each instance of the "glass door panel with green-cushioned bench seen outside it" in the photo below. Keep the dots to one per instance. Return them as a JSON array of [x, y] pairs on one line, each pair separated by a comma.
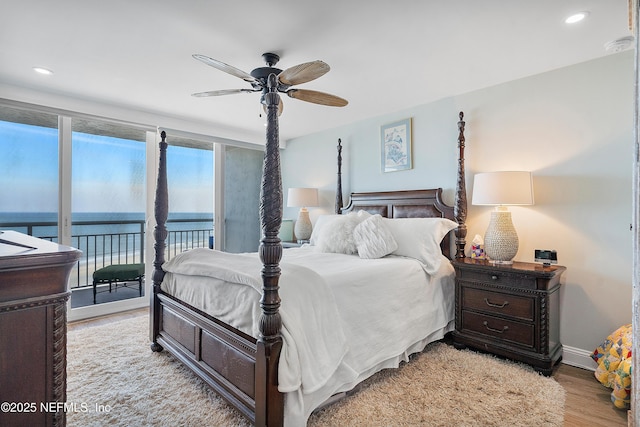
[[108, 211]]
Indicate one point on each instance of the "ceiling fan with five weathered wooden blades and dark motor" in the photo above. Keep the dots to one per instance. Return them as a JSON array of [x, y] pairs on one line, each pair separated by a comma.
[[292, 76]]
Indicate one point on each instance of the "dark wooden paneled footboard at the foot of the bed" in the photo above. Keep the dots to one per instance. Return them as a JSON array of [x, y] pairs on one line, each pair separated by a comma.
[[237, 366]]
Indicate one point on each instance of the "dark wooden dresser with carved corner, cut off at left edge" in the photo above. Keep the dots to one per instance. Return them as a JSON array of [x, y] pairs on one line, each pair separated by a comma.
[[33, 329]]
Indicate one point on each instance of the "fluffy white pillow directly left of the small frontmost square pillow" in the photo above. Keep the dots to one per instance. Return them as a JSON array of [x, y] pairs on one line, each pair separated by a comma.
[[334, 233]]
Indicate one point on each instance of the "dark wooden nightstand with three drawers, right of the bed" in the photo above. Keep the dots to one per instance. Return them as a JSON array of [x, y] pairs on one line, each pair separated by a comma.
[[509, 310]]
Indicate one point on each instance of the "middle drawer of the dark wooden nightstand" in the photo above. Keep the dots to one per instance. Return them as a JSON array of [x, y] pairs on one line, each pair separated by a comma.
[[520, 307]]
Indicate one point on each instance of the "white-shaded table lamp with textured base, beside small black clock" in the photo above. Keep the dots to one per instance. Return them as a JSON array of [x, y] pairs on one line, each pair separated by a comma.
[[502, 189]]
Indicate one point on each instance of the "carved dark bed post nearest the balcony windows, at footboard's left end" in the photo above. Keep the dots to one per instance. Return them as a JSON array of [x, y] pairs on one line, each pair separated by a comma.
[[160, 235]]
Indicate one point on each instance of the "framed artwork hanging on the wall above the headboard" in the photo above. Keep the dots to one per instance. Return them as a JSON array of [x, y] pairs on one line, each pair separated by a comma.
[[395, 142]]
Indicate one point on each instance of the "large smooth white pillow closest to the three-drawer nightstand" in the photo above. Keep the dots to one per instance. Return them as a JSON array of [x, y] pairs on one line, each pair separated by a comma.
[[420, 238]]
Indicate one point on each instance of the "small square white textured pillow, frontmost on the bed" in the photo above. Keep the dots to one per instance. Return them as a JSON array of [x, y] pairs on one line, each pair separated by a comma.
[[373, 238]]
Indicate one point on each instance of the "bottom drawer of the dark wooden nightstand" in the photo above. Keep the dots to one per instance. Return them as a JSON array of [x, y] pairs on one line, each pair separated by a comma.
[[496, 327]]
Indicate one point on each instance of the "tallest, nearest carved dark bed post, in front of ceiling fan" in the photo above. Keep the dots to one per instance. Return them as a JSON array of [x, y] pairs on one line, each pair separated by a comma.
[[269, 401]]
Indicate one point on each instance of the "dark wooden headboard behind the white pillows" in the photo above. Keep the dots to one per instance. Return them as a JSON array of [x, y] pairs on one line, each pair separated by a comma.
[[406, 204]]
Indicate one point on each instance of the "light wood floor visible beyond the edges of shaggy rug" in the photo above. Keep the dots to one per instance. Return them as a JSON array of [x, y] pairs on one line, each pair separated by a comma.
[[588, 403]]
